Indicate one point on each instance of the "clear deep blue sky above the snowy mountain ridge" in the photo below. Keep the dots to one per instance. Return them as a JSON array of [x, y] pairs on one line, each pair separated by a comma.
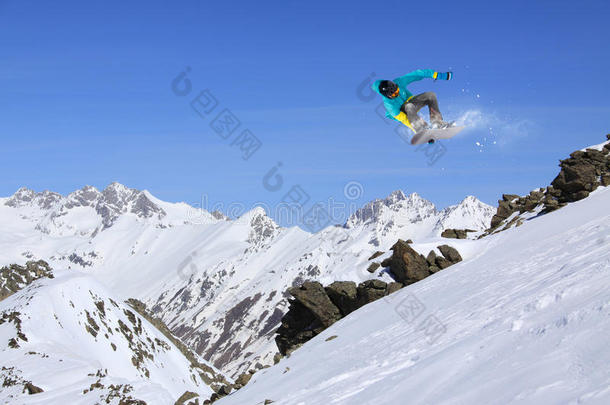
[[86, 96]]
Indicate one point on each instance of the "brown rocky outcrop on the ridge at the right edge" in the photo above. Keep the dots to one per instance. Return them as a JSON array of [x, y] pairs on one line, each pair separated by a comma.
[[580, 174]]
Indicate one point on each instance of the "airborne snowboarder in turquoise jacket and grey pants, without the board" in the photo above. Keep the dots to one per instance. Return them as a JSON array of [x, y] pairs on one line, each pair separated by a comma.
[[403, 106]]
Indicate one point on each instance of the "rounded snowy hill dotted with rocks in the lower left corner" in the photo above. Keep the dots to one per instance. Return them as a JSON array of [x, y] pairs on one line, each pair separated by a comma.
[[70, 338]]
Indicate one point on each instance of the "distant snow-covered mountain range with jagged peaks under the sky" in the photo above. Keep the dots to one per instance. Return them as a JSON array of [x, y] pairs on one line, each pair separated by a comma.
[[219, 284]]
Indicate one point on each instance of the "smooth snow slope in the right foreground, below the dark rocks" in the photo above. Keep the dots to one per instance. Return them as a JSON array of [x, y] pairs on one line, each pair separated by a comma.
[[525, 320]]
